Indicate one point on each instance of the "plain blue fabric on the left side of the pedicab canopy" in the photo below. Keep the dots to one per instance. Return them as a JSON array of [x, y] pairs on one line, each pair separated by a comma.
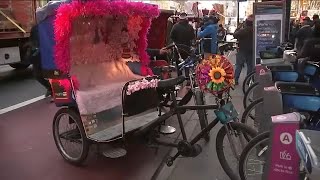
[[47, 43]]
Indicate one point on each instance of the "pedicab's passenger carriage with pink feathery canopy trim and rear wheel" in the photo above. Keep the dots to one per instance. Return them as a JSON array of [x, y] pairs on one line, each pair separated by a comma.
[[86, 63]]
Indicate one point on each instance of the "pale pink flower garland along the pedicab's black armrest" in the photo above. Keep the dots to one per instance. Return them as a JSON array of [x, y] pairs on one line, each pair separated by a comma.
[[142, 84]]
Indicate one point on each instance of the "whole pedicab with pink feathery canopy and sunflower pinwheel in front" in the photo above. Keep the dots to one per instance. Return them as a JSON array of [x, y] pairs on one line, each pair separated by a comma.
[[84, 50]]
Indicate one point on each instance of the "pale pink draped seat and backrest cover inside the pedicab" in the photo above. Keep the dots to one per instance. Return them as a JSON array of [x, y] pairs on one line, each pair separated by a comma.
[[100, 87]]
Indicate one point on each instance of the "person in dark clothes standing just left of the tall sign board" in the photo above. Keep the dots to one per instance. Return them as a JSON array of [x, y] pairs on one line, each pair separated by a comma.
[[244, 35]]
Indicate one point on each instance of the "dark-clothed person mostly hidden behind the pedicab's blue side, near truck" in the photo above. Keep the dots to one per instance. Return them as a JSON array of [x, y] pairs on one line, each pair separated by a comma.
[[36, 61]]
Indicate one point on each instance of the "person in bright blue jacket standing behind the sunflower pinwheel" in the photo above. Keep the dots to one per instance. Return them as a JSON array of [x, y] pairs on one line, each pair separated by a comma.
[[209, 30]]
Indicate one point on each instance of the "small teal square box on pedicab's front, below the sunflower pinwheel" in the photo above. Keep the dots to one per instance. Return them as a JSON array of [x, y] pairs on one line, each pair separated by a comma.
[[226, 113]]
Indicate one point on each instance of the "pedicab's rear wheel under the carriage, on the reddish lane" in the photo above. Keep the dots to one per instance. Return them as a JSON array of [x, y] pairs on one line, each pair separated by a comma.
[[73, 134]]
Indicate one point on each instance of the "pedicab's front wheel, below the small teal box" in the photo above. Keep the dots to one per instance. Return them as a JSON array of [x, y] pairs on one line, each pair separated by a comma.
[[234, 129]]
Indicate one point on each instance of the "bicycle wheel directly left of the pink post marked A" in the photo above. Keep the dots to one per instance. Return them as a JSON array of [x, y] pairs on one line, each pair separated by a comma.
[[253, 157]]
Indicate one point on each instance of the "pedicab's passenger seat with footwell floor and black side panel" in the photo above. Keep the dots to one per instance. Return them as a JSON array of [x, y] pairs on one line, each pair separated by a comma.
[[102, 99]]
